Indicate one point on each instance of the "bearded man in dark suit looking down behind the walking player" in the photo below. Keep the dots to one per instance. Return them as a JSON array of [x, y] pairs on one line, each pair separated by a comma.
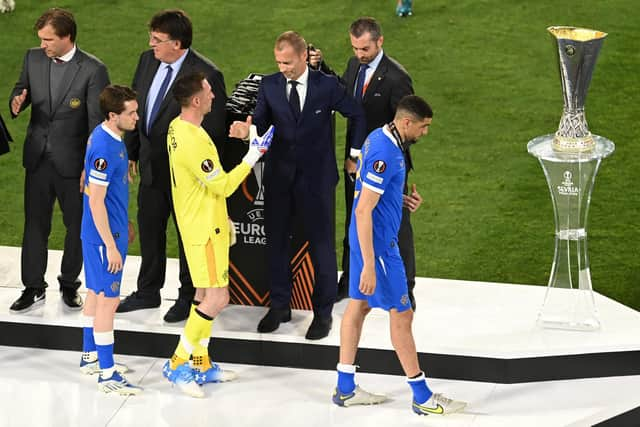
[[378, 82]]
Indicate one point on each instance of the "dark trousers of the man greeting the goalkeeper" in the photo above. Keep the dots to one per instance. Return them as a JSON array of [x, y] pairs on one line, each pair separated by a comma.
[[316, 210]]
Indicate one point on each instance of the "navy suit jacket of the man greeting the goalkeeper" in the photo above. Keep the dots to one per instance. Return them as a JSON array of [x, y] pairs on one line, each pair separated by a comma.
[[305, 146]]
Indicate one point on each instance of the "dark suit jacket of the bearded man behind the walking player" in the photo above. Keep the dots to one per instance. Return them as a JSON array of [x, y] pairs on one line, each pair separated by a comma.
[[388, 85]]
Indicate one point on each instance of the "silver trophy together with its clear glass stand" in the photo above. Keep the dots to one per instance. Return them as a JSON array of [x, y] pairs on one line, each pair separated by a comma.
[[570, 159]]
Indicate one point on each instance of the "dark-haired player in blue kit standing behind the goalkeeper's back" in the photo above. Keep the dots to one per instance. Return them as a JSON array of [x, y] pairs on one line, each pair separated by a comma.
[[105, 235]]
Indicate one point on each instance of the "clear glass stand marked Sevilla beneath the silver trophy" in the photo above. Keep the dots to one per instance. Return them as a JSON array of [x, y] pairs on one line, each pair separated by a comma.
[[569, 301]]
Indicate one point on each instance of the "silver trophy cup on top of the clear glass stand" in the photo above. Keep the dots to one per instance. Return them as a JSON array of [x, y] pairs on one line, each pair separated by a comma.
[[578, 50]]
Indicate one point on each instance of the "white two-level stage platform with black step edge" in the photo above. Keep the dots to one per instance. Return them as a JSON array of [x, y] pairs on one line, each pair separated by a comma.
[[477, 342]]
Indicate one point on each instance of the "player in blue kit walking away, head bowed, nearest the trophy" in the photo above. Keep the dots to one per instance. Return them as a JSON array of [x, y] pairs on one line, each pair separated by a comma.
[[377, 278]]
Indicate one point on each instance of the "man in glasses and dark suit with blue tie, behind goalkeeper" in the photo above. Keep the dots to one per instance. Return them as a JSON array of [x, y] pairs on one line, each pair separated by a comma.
[[171, 56]]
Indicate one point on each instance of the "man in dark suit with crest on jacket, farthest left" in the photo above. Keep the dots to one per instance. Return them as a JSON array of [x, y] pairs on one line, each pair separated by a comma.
[[62, 84]]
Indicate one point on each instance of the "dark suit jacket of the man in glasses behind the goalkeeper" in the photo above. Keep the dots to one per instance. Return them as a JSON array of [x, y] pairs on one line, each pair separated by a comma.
[[151, 150]]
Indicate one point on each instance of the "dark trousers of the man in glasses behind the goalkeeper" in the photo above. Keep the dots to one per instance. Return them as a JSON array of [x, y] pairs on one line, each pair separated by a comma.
[[154, 208]]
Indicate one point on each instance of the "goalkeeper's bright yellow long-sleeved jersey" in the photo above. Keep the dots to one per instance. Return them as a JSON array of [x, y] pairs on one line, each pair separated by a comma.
[[199, 185]]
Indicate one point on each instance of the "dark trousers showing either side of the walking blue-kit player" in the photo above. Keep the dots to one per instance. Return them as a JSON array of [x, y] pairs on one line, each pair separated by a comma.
[[405, 239]]
